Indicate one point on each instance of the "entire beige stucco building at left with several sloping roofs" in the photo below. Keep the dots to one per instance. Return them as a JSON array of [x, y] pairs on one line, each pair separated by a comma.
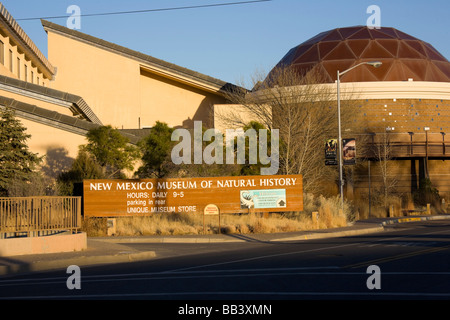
[[87, 82]]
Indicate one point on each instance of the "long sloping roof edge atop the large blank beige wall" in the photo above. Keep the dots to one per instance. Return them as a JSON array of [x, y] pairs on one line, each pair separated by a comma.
[[159, 66]]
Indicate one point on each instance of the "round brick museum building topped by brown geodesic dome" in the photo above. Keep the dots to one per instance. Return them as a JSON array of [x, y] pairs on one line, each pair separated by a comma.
[[406, 98]]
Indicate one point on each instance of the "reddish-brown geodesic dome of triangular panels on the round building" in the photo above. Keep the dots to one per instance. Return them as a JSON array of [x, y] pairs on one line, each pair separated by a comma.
[[403, 56]]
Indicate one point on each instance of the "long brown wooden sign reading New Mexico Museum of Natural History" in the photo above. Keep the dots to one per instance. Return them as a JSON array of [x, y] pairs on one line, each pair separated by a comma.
[[241, 194]]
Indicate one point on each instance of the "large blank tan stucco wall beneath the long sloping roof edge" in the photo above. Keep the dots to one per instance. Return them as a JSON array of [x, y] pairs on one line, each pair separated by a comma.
[[118, 90]]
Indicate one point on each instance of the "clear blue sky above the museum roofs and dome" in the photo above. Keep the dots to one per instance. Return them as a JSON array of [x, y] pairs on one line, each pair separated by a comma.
[[232, 42]]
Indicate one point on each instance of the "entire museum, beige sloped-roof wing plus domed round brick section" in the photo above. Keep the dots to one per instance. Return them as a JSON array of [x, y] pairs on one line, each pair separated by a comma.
[[87, 82]]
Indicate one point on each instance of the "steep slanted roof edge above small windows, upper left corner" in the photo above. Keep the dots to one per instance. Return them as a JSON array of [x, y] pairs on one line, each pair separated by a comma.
[[18, 35]]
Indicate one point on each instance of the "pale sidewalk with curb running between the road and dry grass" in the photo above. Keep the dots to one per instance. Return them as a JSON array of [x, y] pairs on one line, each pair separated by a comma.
[[104, 250]]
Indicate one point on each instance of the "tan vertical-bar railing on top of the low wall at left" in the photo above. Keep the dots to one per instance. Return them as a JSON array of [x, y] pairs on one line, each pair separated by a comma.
[[34, 215]]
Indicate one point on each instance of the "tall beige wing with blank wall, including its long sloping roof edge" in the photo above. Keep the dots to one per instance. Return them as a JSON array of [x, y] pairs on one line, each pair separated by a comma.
[[128, 89]]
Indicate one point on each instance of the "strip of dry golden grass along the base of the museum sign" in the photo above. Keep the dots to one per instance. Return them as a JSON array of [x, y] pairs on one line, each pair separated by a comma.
[[192, 224]]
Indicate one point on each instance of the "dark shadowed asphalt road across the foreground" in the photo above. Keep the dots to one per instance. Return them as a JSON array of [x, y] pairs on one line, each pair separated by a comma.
[[413, 261]]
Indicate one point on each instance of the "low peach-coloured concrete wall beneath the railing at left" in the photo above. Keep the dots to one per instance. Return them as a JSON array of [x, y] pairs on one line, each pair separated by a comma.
[[47, 244]]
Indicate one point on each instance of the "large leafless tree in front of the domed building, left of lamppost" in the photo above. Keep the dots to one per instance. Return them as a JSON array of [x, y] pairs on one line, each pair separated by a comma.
[[304, 109]]
